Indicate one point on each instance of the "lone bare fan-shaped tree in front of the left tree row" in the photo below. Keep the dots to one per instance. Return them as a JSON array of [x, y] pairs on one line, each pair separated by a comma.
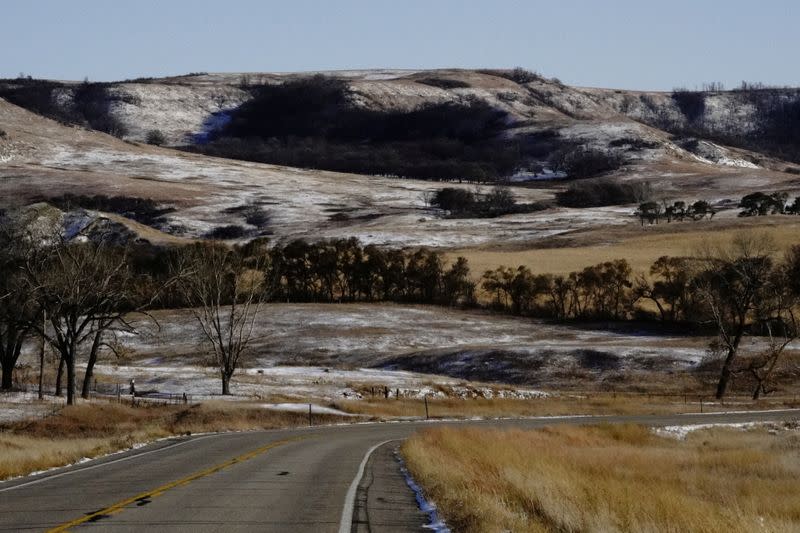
[[225, 288]]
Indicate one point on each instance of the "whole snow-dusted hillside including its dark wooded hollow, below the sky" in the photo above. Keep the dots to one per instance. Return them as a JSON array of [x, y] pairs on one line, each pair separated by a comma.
[[456, 120]]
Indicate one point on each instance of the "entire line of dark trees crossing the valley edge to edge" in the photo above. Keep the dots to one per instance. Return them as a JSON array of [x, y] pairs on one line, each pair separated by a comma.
[[76, 297]]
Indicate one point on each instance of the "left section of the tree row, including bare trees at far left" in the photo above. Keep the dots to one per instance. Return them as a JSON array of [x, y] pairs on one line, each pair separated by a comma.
[[76, 297]]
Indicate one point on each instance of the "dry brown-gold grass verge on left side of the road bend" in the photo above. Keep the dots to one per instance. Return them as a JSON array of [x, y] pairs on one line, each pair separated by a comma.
[[93, 429]]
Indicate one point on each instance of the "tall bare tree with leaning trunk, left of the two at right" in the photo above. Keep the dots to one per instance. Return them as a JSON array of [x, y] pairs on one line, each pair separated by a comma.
[[730, 285]]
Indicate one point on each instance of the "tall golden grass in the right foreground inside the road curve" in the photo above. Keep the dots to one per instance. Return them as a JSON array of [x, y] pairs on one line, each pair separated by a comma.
[[609, 478]]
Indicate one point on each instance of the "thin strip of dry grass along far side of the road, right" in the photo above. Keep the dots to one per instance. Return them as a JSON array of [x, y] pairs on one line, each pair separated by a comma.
[[596, 403]]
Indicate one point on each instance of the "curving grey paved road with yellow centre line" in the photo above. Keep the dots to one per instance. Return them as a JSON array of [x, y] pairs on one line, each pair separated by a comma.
[[311, 479]]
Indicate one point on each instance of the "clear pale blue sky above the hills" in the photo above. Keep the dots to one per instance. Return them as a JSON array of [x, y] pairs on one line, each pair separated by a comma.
[[627, 44]]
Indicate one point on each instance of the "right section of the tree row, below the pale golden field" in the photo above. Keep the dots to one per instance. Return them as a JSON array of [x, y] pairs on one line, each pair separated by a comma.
[[735, 289]]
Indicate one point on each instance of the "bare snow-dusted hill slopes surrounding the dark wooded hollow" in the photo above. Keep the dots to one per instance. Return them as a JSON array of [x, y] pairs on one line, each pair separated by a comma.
[[41, 158]]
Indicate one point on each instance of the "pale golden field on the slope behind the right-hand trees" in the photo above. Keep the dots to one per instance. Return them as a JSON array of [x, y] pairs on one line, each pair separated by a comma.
[[639, 248]]
